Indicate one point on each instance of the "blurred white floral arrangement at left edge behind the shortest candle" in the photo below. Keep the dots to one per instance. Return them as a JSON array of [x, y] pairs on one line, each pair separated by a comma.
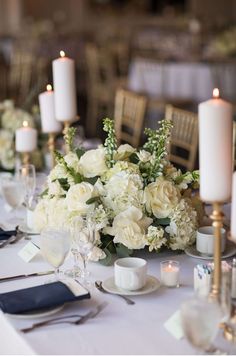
[[11, 118]]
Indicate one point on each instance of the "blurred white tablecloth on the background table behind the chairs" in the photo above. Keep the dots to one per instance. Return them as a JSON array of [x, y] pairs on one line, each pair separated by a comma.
[[182, 80]]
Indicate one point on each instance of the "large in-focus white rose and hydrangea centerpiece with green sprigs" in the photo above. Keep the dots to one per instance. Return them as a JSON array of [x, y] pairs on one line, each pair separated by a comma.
[[136, 197]]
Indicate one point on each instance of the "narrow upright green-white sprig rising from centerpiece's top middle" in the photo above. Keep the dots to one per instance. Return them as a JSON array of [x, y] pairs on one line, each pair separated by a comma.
[[110, 142]]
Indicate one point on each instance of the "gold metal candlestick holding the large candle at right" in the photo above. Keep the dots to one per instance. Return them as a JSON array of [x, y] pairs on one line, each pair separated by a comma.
[[217, 217]]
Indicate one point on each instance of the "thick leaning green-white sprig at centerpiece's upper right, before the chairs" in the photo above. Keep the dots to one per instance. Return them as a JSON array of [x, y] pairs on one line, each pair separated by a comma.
[[157, 143]]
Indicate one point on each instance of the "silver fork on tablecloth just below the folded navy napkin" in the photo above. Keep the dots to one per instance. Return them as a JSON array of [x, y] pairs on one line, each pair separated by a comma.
[[81, 319]]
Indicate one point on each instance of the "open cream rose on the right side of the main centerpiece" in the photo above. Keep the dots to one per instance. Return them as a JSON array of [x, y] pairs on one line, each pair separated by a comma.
[[161, 197]]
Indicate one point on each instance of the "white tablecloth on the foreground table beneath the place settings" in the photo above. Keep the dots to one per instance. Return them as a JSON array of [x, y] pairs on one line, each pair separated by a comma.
[[118, 329]]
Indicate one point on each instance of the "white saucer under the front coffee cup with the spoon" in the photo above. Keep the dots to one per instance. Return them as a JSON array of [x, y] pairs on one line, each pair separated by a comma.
[[151, 285]]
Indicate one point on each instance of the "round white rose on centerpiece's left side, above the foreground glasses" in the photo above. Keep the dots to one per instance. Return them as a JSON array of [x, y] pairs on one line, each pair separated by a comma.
[[77, 197]]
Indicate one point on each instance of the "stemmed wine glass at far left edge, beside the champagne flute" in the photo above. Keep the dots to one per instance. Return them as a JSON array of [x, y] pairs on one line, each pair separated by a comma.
[[13, 194]]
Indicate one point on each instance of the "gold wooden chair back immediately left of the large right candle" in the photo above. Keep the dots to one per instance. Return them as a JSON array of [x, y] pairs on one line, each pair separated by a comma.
[[184, 137]]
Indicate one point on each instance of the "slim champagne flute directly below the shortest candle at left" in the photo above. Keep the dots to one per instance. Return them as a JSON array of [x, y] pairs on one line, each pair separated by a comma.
[[27, 175]]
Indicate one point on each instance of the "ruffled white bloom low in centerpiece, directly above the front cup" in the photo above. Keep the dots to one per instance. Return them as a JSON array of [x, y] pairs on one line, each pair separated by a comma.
[[129, 228]]
